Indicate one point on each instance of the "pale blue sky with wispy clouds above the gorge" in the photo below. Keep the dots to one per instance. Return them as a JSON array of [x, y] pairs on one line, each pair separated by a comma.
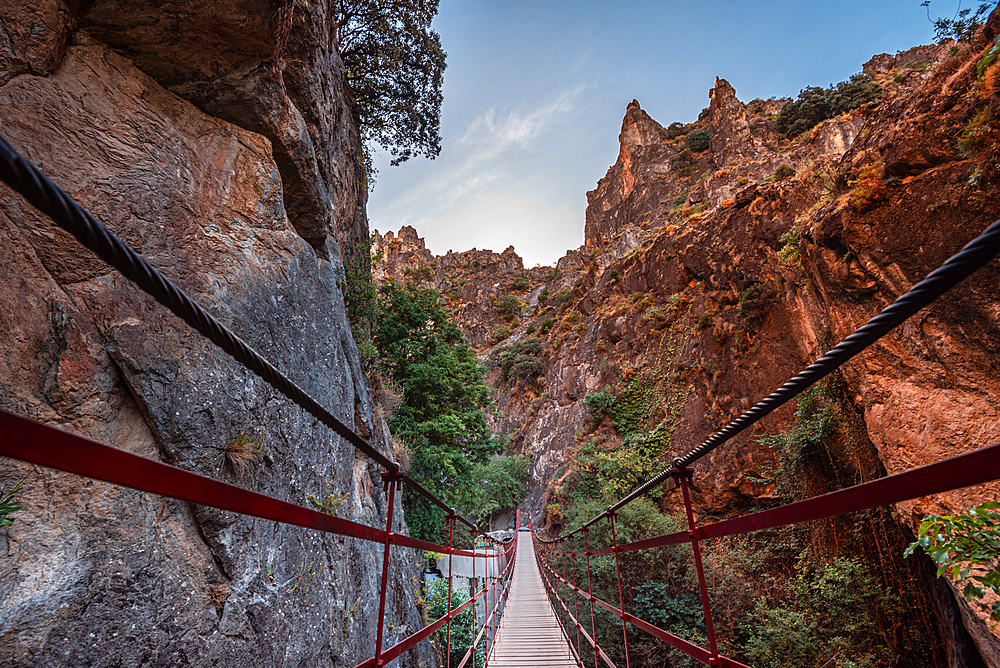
[[535, 92]]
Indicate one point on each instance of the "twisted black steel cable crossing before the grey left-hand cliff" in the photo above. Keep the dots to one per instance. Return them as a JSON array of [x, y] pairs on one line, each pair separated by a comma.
[[22, 176]]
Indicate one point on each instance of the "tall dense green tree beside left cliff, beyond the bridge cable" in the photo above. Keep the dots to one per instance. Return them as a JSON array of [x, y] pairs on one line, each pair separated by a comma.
[[443, 416]]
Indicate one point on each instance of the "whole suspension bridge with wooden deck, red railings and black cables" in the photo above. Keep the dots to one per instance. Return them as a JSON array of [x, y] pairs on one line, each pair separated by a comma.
[[537, 586]]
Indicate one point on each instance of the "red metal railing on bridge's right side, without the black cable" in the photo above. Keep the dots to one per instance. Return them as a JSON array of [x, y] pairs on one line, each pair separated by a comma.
[[965, 470]]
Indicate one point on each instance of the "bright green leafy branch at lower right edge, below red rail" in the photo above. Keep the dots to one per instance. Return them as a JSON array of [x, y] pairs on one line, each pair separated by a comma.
[[967, 546]]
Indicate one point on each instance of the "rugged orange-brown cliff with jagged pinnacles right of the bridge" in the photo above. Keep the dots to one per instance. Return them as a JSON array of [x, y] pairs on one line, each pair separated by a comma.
[[716, 277]]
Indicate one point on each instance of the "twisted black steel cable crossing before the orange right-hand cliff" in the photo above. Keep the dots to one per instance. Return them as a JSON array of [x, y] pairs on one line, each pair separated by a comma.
[[976, 254]]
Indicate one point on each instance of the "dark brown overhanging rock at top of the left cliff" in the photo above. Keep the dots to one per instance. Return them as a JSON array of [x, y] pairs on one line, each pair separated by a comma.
[[270, 66]]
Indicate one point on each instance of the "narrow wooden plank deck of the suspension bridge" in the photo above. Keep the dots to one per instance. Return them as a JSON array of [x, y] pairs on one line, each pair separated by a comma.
[[529, 633]]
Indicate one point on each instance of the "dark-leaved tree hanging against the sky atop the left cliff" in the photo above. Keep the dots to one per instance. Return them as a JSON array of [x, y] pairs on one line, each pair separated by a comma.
[[395, 67]]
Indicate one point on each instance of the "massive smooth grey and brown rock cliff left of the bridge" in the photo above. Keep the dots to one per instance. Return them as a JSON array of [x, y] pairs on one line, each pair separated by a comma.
[[216, 139]]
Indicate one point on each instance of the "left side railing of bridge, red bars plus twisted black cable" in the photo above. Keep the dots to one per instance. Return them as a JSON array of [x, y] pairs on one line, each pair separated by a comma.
[[34, 442]]
